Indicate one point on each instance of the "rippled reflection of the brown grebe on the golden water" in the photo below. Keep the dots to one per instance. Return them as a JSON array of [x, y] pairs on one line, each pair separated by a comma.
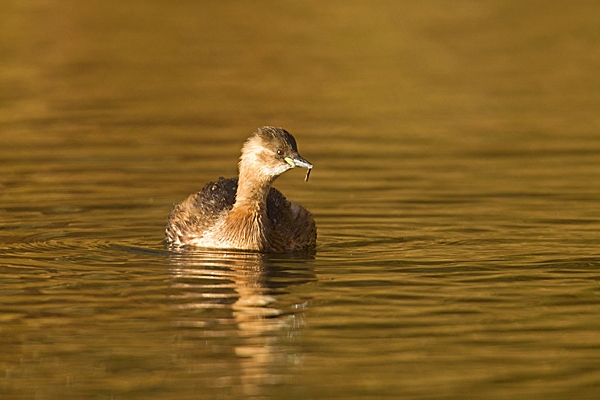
[[246, 296]]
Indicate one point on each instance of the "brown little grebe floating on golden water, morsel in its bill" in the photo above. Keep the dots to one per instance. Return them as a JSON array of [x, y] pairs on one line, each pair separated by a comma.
[[246, 212]]
